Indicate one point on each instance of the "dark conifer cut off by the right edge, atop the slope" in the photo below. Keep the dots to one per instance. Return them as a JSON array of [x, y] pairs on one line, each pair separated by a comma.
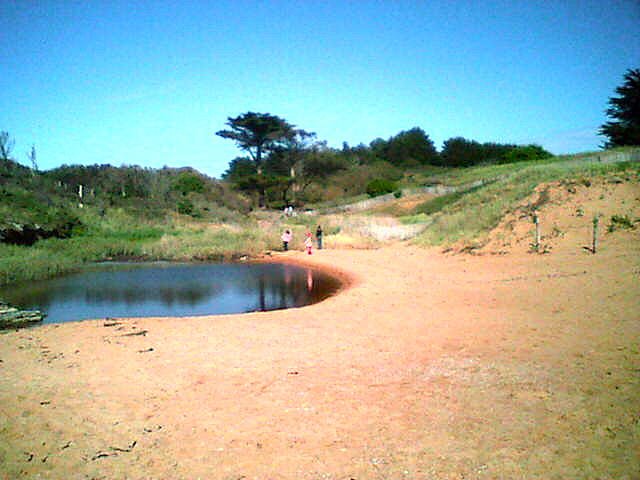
[[624, 109]]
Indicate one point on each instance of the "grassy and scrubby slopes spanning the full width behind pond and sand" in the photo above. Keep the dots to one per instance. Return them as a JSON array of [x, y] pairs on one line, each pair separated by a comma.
[[170, 214]]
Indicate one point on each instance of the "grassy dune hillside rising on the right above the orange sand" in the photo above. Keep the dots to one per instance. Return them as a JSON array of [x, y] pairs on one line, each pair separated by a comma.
[[465, 212]]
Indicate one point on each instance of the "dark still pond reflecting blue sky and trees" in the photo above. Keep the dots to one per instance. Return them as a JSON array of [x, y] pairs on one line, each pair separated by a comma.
[[171, 290]]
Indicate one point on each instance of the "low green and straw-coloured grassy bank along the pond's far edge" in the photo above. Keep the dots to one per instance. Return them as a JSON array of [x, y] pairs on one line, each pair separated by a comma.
[[119, 235]]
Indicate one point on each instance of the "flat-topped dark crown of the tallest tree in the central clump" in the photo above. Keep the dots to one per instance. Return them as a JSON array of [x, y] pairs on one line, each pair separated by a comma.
[[257, 133]]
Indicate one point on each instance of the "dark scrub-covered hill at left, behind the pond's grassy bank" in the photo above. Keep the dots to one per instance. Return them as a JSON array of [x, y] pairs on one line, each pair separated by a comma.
[[36, 205]]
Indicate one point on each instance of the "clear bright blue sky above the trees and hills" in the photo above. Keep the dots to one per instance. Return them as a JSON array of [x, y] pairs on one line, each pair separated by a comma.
[[150, 82]]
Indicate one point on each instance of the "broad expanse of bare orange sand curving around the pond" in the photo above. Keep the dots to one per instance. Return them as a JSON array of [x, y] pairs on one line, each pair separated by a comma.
[[428, 366]]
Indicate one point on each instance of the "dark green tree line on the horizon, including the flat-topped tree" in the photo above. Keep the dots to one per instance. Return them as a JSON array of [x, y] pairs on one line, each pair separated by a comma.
[[288, 165]]
